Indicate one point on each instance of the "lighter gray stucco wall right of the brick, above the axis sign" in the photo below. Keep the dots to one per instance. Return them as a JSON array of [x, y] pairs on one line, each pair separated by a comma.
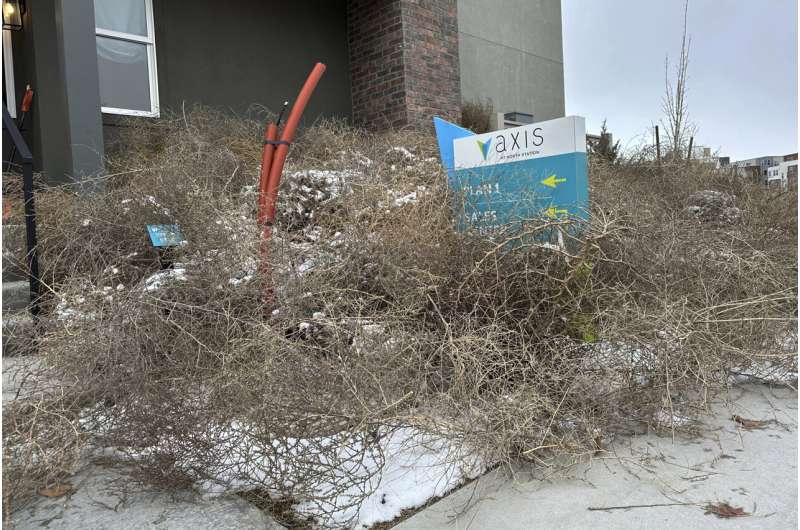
[[511, 52]]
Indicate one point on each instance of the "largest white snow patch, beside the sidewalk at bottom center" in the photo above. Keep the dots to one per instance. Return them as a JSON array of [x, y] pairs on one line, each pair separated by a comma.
[[407, 469]]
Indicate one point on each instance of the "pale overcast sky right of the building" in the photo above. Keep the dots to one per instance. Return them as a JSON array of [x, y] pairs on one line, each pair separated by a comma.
[[742, 69]]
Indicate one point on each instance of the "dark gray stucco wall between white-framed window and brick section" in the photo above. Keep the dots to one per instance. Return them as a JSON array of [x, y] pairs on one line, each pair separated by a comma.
[[242, 52]]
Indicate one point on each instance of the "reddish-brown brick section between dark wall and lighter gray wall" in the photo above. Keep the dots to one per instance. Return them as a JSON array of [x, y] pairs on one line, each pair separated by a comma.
[[403, 61]]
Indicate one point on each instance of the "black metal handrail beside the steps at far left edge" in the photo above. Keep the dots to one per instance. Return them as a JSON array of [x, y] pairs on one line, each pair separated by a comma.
[[24, 154]]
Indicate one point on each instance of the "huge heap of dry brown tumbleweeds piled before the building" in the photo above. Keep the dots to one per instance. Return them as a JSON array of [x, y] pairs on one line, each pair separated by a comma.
[[385, 317]]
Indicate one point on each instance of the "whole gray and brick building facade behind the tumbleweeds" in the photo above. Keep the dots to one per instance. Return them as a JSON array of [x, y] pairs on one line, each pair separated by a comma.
[[391, 63]]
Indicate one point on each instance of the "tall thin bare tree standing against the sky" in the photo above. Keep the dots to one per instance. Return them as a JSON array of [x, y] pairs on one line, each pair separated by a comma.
[[676, 123]]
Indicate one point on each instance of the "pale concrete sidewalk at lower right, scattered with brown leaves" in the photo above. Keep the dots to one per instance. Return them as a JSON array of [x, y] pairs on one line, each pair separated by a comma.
[[753, 469]]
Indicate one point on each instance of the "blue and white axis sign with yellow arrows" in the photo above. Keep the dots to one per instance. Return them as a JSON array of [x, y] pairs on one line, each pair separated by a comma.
[[503, 178]]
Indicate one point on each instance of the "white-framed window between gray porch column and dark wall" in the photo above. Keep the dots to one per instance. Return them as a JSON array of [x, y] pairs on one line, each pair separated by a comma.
[[126, 57]]
